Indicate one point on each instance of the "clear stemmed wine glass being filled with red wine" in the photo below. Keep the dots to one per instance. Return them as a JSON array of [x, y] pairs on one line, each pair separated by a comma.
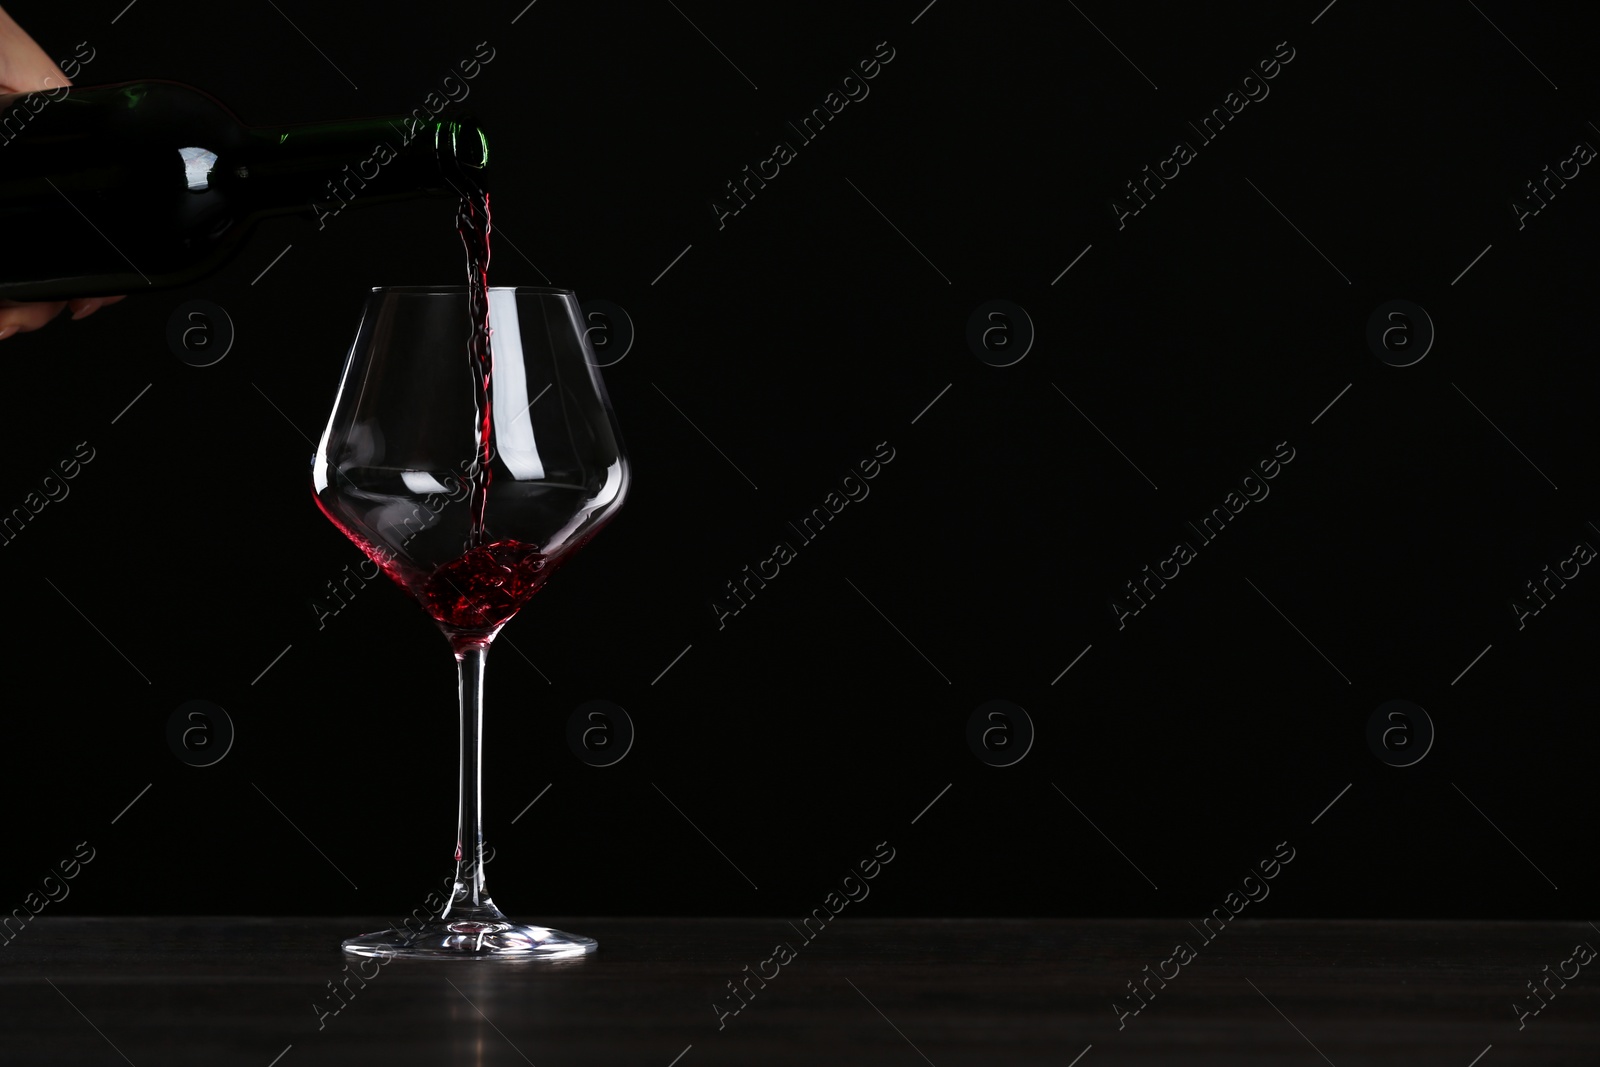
[[471, 489]]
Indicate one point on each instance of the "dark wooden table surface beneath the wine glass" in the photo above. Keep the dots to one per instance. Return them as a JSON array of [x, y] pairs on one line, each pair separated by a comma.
[[244, 991]]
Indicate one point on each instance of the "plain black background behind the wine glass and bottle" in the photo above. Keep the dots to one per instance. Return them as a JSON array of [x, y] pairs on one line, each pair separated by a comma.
[[798, 338]]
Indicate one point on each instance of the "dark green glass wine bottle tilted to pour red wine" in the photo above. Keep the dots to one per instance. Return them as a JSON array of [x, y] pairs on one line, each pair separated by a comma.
[[153, 185]]
